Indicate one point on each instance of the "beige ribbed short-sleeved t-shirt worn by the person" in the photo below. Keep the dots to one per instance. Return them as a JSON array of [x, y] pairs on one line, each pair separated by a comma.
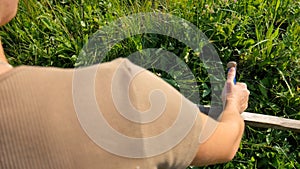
[[98, 117]]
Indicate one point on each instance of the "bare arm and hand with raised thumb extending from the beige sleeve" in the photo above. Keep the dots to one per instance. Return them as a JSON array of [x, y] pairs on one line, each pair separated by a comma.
[[224, 142]]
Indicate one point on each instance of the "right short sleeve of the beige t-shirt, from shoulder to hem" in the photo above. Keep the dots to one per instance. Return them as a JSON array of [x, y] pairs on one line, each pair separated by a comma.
[[169, 123]]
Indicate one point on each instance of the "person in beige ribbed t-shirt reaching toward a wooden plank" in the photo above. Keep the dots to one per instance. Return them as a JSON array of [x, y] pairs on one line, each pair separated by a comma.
[[41, 128]]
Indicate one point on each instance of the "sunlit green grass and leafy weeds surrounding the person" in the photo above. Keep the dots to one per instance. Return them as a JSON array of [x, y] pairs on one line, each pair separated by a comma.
[[261, 35]]
